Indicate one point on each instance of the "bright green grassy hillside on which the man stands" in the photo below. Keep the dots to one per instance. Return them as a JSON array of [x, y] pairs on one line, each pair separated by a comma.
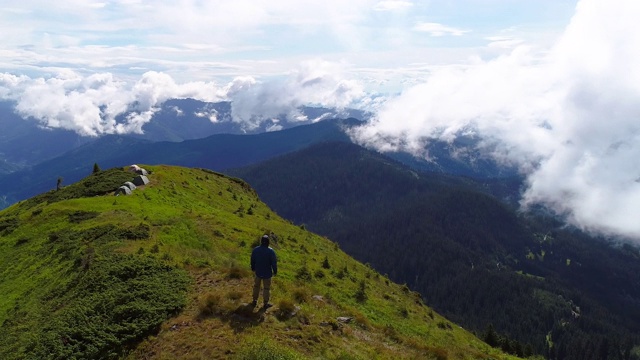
[[163, 274]]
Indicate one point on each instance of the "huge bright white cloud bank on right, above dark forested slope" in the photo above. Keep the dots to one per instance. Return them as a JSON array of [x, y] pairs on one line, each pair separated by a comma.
[[569, 117]]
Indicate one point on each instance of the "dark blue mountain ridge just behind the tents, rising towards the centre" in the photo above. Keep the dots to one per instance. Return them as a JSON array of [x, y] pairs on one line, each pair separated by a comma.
[[217, 152]]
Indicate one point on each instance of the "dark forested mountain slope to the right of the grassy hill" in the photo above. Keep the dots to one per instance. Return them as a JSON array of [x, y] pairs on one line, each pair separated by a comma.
[[525, 282]]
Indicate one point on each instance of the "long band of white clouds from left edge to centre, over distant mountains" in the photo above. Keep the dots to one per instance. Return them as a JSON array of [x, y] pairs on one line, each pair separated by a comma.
[[101, 104]]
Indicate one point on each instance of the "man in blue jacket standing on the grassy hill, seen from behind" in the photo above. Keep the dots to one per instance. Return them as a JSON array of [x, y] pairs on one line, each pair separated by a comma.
[[265, 265]]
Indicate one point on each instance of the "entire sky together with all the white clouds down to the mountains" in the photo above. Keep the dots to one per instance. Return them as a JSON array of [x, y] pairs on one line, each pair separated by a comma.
[[551, 86]]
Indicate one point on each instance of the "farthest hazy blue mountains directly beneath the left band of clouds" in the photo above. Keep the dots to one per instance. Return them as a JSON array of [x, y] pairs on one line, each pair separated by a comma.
[[24, 142]]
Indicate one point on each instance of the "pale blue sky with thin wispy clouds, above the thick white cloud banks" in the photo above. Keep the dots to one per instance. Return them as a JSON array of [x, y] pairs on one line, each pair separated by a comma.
[[377, 41]]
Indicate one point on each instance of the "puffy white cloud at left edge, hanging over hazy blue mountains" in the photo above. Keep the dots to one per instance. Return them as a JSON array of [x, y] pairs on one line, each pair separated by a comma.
[[90, 105]]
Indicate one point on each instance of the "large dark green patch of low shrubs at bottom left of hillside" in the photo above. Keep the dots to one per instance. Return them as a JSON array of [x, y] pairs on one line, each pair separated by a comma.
[[118, 301]]
